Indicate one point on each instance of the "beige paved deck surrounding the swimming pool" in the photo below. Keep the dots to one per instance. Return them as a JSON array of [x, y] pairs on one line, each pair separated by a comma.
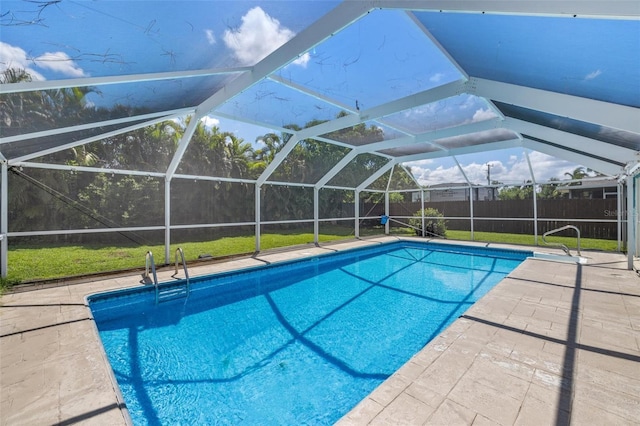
[[552, 344]]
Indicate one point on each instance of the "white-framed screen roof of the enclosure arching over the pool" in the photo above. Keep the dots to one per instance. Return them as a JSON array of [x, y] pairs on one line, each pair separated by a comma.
[[437, 78]]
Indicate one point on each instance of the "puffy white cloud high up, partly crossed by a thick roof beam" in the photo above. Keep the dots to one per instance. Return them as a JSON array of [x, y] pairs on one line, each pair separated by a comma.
[[258, 36]]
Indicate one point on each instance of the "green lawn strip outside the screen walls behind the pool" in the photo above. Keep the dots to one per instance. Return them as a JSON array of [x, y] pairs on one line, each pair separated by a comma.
[[37, 263]]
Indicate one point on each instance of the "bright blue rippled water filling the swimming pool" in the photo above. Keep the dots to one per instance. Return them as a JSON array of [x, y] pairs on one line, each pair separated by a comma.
[[295, 343]]
